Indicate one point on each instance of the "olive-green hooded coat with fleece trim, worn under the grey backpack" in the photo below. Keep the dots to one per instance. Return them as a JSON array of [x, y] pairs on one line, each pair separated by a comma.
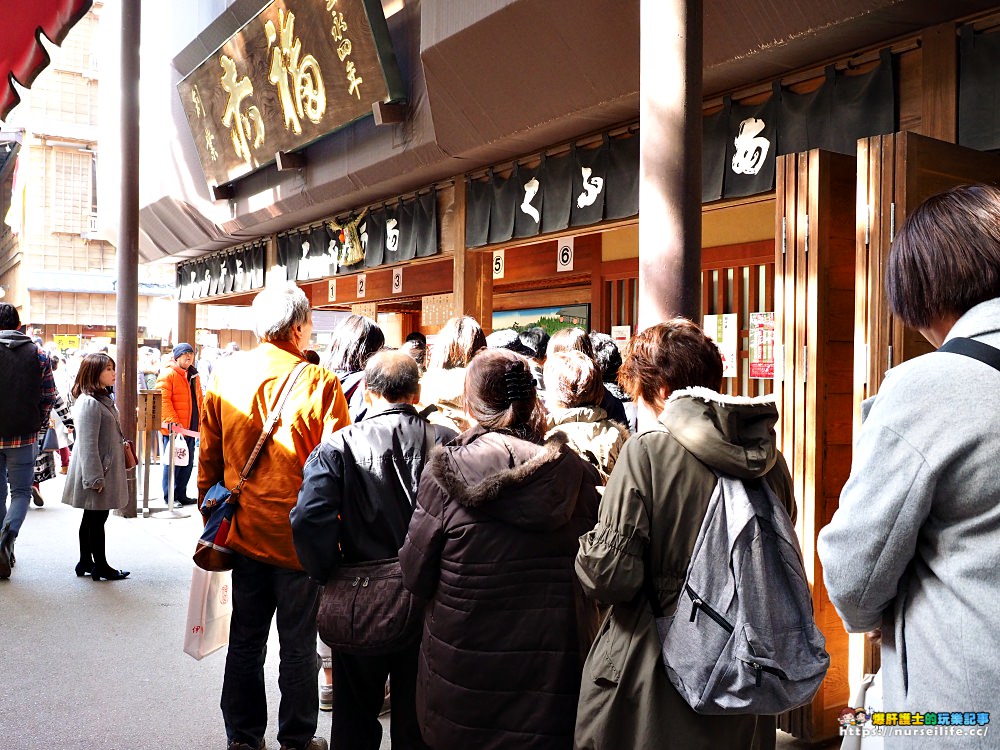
[[651, 512]]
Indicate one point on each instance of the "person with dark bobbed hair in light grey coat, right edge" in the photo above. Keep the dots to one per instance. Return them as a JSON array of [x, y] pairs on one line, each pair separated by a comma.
[[914, 549]]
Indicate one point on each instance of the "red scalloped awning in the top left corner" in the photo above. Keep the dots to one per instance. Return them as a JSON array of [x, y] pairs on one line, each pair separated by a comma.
[[22, 56]]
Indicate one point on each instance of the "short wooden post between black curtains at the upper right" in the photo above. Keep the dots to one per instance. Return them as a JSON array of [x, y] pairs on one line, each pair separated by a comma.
[[939, 92]]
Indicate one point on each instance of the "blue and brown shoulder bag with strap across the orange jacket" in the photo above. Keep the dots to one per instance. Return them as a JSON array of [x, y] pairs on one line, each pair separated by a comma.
[[219, 504]]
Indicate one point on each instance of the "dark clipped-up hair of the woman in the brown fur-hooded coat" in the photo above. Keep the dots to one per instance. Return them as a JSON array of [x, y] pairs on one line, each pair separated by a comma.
[[500, 395]]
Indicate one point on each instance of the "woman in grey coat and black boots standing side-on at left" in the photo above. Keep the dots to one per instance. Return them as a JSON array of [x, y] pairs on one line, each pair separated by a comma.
[[96, 480]]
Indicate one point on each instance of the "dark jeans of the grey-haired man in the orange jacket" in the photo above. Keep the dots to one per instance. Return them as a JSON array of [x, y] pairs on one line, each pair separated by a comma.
[[259, 590]]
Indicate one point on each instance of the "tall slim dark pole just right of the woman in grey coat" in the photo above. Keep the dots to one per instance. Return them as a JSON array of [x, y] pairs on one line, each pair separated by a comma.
[[127, 304]]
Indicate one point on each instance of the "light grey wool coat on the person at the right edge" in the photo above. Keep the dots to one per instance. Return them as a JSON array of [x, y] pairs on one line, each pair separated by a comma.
[[914, 547]]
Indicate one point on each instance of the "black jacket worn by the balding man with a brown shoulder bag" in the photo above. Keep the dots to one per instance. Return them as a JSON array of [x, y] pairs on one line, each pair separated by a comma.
[[359, 488]]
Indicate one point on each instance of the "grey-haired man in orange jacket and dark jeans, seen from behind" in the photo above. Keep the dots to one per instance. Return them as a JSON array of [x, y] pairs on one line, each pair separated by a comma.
[[268, 578]]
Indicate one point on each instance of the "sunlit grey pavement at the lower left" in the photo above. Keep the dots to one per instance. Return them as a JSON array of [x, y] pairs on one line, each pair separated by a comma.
[[99, 666]]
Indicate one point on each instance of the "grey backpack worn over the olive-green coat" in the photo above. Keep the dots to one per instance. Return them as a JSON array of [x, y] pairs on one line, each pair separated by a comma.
[[743, 638]]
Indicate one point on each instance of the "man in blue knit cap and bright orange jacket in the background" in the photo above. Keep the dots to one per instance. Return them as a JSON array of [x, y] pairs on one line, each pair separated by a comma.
[[182, 397]]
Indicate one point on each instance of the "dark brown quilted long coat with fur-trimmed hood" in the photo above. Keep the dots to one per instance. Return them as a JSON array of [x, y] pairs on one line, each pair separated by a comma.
[[491, 546]]
